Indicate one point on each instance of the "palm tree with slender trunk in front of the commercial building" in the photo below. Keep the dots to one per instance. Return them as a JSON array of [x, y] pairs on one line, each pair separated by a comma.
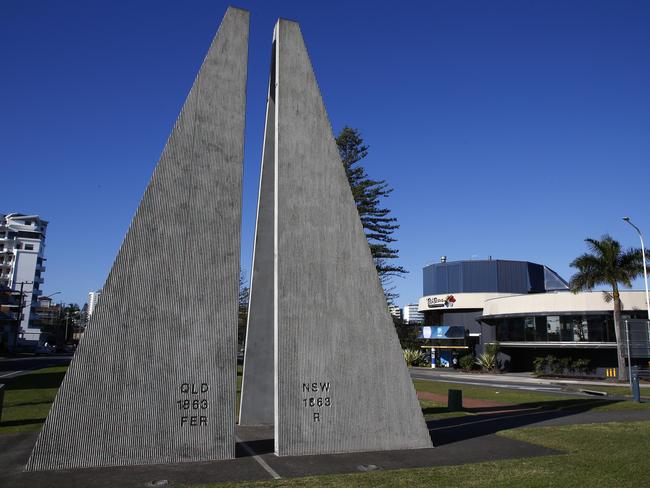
[[608, 264]]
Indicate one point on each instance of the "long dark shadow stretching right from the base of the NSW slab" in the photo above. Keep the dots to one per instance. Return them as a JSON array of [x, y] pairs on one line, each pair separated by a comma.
[[494, 419]]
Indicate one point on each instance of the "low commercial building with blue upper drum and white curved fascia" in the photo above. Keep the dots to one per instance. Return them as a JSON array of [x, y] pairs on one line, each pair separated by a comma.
[[526, 307]]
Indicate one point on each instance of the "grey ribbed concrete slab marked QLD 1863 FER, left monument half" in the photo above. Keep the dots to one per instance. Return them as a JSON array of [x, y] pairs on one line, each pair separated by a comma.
[[167, 316]]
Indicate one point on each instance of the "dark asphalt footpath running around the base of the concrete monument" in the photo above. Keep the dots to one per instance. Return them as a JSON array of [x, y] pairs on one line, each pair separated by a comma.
[[460, 440]]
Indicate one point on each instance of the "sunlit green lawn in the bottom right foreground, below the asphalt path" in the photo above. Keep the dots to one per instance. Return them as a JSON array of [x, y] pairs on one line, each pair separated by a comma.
[[593, 455]]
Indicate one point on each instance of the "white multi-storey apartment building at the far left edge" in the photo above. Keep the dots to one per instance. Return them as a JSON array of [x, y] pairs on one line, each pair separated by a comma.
[[22, 264]]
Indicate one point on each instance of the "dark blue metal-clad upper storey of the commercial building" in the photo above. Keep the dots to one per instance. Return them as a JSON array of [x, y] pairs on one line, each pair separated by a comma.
[[490, 276]]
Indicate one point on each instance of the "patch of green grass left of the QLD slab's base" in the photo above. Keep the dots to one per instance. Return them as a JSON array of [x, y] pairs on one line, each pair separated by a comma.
[[28, 399]]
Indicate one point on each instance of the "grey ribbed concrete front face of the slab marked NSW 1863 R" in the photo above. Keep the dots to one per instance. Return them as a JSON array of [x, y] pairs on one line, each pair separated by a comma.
[[341, 380]]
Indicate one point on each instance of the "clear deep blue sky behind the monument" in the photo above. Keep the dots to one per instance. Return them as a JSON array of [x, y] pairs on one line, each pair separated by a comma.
[[512, 129]]
